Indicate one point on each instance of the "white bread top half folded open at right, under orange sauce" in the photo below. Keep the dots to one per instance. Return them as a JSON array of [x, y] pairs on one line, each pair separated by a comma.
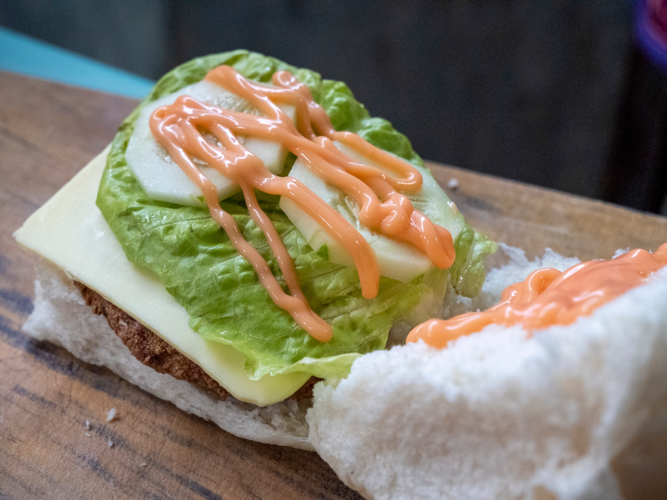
[[573, 412]]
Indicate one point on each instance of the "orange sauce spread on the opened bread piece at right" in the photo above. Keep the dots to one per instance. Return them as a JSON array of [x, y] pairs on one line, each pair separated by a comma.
[[550, 297]]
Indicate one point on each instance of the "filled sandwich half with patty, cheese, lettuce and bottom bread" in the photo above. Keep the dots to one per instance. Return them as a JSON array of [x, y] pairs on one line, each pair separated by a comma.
[[250, 231]]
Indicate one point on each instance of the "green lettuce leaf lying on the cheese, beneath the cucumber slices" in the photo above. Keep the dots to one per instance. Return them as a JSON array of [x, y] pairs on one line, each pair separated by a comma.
[[199, 266]]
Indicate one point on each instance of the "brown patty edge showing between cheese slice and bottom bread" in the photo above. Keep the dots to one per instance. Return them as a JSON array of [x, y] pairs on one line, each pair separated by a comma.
[[157, 354]]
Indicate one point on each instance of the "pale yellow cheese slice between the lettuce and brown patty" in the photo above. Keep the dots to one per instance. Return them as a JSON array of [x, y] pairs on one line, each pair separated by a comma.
[[70, 231]]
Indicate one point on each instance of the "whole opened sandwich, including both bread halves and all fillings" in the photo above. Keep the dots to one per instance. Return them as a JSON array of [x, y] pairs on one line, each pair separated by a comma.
[[293, 305]]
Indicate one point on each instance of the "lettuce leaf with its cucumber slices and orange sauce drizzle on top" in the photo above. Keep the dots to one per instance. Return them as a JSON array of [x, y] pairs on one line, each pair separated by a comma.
[[270, 283]]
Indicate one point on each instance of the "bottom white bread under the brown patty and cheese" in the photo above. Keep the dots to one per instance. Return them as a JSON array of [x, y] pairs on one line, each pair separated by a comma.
[[61, 316]]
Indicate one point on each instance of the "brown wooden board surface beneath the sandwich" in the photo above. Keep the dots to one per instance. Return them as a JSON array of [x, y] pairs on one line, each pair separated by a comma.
[[49, 131]]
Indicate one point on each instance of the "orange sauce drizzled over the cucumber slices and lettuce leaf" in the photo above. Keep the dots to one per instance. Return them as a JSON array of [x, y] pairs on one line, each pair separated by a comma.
[[377, 191]]
